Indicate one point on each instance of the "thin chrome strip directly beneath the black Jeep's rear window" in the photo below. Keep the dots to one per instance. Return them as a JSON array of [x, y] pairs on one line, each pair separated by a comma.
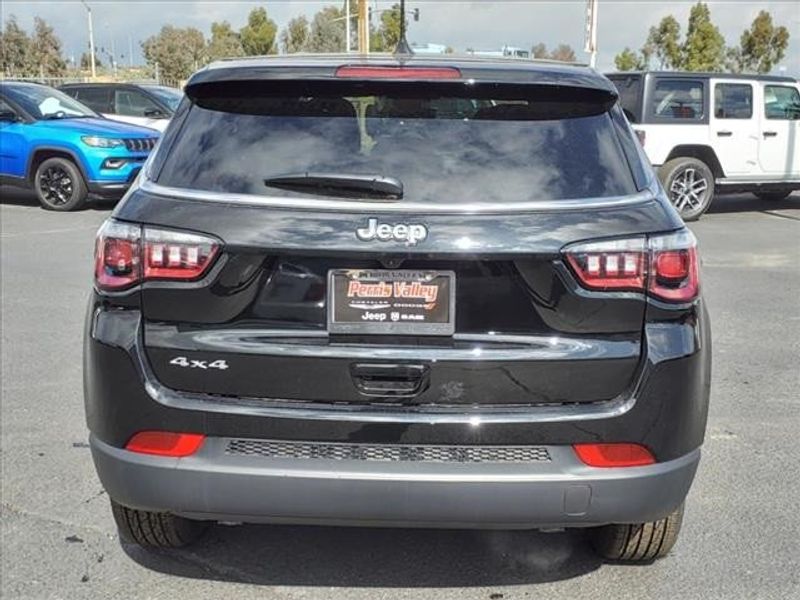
[[149, 186]]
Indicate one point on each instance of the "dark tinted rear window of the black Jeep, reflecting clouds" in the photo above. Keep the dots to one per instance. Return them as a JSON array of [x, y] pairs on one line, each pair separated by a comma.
[[510, 146]]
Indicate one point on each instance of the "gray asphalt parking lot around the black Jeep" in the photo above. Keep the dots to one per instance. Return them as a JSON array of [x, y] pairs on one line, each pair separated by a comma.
[[742, 529]]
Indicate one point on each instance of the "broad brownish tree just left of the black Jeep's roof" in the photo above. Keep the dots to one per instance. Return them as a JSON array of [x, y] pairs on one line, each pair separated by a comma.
[[177, 52]]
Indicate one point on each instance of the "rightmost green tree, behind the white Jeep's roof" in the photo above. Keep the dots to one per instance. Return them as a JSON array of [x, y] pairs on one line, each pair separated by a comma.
[[760, 47]]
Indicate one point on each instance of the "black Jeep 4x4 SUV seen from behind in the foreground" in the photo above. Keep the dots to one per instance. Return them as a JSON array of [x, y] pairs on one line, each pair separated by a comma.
[[425, 292]]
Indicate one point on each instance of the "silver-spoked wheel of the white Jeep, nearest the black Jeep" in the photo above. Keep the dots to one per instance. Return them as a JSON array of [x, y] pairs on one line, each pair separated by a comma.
[[689, 184]]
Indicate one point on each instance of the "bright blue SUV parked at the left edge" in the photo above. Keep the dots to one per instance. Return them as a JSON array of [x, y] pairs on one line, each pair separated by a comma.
[[63, 150]]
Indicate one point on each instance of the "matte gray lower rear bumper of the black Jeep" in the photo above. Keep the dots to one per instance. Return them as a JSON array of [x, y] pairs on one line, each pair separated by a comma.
[[560, 493]]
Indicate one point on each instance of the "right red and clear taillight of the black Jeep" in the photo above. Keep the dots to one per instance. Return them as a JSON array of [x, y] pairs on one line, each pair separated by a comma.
[[664, 265]]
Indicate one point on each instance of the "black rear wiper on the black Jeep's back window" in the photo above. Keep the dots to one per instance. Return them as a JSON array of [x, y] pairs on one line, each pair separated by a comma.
[[340, 185]]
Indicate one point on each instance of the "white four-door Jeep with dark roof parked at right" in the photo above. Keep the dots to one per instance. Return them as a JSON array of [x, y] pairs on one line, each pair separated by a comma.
[[711, 132]]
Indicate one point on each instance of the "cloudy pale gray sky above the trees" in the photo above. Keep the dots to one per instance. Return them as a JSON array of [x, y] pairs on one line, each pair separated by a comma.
[[122, 24]]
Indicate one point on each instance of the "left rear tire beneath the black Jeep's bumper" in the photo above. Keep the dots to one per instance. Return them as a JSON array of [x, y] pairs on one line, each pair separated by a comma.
[[155, 530]]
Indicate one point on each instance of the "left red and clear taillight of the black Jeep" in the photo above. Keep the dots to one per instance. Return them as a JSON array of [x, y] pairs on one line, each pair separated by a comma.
[[128, 254]]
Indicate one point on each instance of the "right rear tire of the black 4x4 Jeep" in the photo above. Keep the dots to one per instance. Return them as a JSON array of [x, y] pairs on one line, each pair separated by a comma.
[[638, 542]]
